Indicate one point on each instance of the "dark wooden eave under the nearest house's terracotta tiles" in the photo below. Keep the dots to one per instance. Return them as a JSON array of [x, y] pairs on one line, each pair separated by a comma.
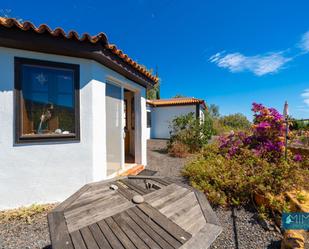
[[29, 40]]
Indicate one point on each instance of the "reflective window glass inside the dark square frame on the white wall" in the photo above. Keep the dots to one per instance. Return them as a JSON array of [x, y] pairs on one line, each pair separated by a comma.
[[47, 101]]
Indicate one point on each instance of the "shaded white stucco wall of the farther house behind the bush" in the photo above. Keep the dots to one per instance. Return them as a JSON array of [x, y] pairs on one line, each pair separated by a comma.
[[163, 116]]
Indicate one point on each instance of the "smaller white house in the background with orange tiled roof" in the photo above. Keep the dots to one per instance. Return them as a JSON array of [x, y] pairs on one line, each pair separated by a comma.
[[161, 112]]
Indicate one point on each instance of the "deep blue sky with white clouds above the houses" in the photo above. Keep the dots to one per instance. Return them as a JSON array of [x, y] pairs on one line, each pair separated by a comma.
[[229, 53]]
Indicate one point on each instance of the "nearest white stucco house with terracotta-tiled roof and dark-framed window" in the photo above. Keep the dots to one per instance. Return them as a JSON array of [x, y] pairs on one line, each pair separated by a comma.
[[72, 111]]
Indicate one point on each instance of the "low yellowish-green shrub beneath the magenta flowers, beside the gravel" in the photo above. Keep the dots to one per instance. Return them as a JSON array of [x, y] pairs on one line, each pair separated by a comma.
[[235, 180]]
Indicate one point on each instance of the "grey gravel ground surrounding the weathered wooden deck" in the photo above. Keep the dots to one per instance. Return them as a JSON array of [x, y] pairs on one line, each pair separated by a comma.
[[240, 228]]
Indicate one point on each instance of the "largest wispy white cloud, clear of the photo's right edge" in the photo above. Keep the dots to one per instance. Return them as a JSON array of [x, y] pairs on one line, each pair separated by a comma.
[[258, 64]]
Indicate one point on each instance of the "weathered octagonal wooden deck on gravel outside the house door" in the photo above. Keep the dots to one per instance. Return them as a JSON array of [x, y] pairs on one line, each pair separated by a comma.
[[173, 215]]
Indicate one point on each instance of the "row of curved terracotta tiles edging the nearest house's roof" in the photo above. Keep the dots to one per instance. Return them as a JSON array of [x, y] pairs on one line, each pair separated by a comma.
[[59, 32]]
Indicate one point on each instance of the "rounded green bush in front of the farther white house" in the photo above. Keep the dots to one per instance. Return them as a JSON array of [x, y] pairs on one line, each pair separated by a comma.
[[189, 132]]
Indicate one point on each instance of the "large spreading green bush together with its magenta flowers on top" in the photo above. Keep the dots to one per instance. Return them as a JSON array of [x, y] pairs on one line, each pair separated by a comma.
[[243, 165]]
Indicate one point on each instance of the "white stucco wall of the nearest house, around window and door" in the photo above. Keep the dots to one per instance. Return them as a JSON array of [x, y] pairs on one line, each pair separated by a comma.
[[49, 172]]
